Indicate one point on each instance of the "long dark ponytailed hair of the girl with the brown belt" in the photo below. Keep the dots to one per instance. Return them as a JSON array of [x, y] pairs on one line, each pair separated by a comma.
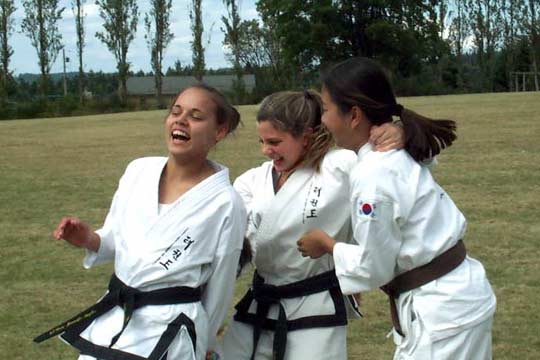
[[362, 82]]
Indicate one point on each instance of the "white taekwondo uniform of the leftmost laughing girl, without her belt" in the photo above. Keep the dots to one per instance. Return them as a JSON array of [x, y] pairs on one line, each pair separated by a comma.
[[194, 242]]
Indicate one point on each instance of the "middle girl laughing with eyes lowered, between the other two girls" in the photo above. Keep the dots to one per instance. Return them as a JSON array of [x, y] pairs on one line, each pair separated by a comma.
[[294, 309]]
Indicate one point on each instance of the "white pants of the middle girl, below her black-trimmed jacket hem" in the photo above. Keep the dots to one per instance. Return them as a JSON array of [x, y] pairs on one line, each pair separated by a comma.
[[318, 343]]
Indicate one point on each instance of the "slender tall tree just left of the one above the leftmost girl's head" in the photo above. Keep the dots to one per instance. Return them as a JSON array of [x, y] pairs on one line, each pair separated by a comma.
[[158, 37]]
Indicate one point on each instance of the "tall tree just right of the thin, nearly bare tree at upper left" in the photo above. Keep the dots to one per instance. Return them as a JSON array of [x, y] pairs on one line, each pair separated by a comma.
[[120, 24]]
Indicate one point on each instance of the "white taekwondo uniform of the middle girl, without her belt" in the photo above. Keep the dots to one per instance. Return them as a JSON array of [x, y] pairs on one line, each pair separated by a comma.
[[306, 200]]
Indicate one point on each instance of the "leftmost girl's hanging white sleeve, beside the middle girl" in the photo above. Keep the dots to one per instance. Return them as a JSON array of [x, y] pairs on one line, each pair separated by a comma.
[[219, 289]]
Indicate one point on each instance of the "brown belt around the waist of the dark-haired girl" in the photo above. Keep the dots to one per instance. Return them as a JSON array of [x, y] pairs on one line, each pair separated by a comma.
[[412, 279]]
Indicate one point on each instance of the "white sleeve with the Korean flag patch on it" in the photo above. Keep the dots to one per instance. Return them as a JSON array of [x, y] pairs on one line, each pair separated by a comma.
[[369, 262]]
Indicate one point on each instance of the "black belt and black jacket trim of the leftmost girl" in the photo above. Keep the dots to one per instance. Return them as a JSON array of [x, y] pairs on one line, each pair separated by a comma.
[[129, 299]]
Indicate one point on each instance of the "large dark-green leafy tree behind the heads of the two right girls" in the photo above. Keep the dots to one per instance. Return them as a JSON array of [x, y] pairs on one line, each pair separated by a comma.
[[402, 35]]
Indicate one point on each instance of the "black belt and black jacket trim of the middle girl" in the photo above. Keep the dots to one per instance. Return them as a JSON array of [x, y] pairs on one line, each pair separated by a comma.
[[267, 295]]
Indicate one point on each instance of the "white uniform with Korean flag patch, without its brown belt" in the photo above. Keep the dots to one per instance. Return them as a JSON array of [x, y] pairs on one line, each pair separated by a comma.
[[402, 219]]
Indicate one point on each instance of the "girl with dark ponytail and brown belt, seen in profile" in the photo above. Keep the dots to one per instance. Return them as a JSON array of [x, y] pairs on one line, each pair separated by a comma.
[[407, 231]]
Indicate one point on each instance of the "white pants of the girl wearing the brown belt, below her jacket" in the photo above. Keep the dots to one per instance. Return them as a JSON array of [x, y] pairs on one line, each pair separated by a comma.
[[473, 343]]
